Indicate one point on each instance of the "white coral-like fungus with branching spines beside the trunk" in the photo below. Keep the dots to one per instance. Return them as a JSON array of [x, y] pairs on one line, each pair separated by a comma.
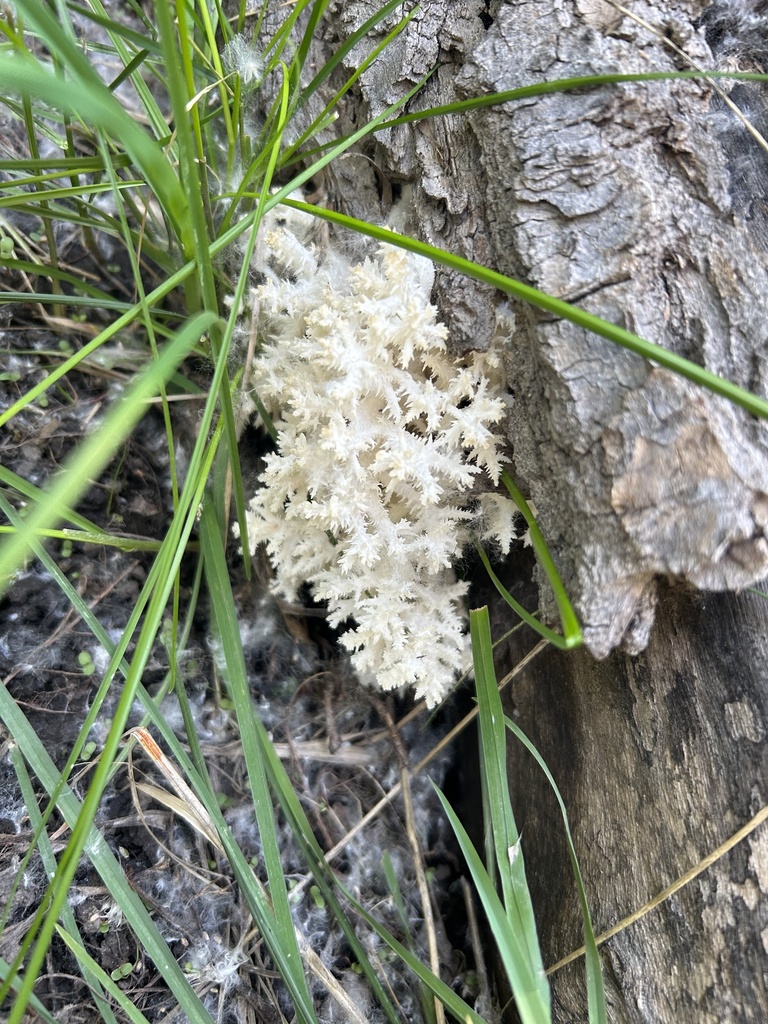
[[380, 435]]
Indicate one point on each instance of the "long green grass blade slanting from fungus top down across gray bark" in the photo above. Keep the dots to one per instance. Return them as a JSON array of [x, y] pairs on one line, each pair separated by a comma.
[[752, 403]]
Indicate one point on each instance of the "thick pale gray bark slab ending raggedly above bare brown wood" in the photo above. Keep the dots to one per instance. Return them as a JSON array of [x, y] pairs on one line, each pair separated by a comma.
[[622, 203]]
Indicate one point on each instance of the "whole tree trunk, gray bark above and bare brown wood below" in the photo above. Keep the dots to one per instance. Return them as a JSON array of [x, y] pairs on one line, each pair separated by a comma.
[[646, 204]]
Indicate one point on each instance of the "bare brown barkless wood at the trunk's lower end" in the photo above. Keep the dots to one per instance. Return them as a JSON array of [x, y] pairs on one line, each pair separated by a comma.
[[660, 758]]
